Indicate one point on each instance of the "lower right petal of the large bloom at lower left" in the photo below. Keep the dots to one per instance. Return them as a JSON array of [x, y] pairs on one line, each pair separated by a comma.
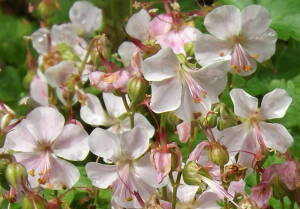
[[62, 174]]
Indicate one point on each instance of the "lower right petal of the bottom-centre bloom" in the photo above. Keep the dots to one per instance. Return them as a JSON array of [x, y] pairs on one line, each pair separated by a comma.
[[144, 169]]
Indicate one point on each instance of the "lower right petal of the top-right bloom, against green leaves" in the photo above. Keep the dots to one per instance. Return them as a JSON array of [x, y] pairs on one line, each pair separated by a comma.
[[262, 46]]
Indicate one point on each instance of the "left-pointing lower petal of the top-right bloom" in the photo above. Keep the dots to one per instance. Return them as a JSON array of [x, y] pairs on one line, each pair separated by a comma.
[[208, 48]]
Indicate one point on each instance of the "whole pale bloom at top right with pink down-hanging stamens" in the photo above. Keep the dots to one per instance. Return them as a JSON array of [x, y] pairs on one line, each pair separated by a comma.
[[244, 36]]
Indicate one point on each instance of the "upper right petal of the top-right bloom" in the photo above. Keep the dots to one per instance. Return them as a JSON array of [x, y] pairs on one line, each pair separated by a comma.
[[255, 20]]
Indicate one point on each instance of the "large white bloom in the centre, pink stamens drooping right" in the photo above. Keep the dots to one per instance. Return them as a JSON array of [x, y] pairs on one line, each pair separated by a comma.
[[176, 87]]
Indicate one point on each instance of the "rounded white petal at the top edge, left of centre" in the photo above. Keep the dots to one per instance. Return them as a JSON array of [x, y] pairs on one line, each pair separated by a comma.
[[85, 16]]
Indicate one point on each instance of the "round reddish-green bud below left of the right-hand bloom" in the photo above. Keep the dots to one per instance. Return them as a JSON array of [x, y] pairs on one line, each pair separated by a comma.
[[218, 154]]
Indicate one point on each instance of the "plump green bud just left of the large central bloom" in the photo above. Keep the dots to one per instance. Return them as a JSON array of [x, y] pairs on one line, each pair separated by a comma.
[[137, 88]]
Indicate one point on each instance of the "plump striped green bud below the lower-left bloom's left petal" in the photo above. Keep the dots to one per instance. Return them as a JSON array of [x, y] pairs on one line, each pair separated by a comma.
[[15, 174]]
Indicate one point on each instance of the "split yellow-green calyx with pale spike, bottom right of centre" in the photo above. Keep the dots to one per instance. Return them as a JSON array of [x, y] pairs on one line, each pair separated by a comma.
[[192, 173]]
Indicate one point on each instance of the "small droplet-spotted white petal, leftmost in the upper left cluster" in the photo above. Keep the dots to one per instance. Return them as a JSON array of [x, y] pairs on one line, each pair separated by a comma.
[[40, 40]]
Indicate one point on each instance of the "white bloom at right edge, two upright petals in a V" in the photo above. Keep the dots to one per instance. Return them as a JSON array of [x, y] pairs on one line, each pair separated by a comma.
[[254, 134]]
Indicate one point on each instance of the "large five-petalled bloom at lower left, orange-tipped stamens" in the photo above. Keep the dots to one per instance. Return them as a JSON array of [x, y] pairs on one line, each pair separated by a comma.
[[40, 140]]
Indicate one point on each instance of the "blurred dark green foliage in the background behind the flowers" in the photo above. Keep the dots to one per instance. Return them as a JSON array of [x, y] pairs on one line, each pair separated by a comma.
[[282, 71]]
